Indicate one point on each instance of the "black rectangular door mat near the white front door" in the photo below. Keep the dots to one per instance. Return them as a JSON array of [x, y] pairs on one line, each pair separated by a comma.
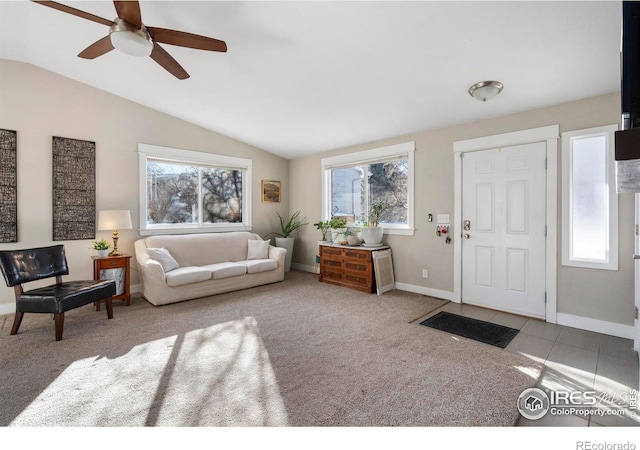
[[478, 330]]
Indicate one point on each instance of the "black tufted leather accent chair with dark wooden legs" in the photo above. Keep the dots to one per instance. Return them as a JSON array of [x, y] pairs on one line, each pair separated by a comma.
[[23, 266]]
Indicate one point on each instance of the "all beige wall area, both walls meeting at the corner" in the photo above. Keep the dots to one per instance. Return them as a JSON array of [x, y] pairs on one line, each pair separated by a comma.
[[40, 104]]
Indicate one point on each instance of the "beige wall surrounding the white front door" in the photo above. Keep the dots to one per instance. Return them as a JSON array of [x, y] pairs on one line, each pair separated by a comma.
[[596, 294]]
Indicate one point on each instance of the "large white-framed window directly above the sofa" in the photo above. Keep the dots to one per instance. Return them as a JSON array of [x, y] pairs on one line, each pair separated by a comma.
[[183, 191]]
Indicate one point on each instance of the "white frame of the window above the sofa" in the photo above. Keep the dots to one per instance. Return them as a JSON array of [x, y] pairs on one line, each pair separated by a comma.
[[146, 151]]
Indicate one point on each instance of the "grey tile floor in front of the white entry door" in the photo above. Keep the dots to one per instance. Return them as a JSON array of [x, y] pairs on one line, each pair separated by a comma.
[[574, 361]]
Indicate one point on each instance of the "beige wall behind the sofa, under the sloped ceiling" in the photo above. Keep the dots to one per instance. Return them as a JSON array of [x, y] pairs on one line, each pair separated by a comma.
[[39, 104]]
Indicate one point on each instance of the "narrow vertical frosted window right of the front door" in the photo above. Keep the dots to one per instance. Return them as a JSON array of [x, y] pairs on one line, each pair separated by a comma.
[[589, 200]]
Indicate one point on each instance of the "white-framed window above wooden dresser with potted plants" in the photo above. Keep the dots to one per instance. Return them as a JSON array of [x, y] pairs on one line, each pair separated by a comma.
[[356, 181]]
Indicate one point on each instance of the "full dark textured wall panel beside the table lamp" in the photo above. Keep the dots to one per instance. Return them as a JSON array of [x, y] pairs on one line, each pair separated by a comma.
[[74, 189]]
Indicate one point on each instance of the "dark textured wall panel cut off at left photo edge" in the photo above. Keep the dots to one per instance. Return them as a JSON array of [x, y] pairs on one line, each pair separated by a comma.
[[8, 186]]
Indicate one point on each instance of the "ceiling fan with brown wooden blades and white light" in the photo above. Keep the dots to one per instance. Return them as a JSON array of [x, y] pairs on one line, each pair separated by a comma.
[[128, 34]]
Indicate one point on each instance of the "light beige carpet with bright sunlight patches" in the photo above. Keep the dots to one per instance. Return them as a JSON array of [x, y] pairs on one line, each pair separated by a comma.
[[297, 353]]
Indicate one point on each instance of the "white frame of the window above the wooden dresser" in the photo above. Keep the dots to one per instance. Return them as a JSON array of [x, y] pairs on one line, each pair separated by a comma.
[[403, 150]]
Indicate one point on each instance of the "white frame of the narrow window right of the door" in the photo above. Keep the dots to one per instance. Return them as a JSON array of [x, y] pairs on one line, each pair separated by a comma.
[[611, 260]]
